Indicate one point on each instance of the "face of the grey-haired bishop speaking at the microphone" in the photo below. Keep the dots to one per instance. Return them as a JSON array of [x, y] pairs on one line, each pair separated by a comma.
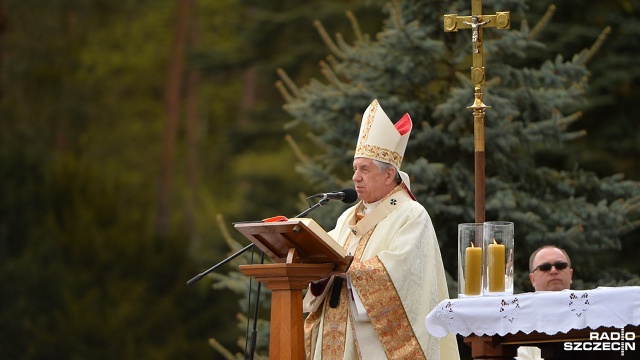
[[371, 184]]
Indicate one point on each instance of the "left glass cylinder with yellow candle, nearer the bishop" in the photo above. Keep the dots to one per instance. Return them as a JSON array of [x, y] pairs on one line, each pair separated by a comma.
[[470, 259]]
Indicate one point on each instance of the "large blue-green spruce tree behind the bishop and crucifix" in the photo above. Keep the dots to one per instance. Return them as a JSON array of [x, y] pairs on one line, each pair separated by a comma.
[[413, 66]]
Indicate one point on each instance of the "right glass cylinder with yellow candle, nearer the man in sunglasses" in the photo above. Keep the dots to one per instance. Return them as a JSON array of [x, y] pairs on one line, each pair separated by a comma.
[[498, 258]]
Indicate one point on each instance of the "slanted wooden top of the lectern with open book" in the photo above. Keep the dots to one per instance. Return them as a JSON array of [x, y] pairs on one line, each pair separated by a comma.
[[311, 242]]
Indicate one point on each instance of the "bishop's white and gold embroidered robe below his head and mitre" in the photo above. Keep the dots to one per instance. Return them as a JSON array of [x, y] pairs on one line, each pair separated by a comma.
[[398, 275]]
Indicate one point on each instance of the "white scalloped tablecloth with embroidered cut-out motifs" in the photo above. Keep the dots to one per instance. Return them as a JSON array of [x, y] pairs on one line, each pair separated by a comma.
[[549, 312]]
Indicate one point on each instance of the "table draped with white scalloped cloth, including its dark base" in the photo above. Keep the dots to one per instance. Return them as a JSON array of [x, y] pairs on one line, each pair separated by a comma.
[[558, 322]]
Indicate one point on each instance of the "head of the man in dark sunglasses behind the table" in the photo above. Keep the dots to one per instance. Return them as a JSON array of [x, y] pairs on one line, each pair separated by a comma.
[[550, 269]]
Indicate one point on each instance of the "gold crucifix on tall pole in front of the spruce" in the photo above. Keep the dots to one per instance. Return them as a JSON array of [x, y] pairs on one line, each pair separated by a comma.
[[476, 22]]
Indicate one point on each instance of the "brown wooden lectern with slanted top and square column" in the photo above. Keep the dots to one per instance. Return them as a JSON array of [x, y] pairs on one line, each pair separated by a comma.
[[303, 252]]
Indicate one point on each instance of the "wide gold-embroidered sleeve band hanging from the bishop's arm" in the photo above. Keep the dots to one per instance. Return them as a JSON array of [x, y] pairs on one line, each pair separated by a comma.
[[385, 310]]
